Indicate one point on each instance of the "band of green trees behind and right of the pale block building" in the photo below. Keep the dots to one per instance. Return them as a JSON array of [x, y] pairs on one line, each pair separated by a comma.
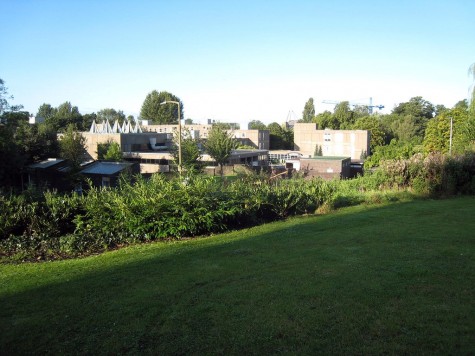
[[413, 126]]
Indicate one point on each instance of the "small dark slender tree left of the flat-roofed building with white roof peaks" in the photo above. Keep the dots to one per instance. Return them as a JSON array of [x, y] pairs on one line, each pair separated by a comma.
[[72, 148]]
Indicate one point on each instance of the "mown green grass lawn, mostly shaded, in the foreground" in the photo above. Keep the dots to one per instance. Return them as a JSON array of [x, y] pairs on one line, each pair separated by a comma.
[[397, 279]]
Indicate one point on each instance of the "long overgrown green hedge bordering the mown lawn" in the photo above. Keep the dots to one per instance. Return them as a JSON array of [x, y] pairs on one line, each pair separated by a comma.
[[52, 225]]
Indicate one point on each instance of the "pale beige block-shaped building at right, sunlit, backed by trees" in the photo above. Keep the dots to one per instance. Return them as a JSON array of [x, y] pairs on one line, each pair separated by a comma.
[[352, 143]]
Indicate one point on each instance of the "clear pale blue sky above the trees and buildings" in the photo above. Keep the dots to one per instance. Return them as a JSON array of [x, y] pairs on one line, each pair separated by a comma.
[[235, 61]]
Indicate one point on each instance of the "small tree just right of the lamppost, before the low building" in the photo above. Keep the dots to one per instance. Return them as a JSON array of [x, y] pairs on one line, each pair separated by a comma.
[[220, 144]]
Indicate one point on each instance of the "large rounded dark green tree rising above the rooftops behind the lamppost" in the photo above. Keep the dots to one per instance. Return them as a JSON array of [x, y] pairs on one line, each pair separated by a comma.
[[161, 114]]
